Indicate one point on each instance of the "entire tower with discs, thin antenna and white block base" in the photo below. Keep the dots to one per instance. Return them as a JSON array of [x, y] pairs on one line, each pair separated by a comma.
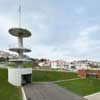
[[20, 75]]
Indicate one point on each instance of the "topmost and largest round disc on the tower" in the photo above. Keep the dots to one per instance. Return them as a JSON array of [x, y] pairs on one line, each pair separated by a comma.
[[19, 32]]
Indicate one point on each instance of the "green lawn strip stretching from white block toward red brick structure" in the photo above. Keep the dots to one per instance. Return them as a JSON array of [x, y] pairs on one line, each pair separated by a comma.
[[38, 76]]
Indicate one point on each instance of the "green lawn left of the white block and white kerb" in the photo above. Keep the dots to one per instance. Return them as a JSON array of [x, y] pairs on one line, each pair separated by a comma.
[[7, 91]]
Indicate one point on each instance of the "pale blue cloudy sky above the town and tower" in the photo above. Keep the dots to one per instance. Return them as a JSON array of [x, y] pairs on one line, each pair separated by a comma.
[[63, 29]]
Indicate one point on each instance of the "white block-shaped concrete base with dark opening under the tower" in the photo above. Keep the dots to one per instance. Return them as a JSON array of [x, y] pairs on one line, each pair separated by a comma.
[[16, 75]]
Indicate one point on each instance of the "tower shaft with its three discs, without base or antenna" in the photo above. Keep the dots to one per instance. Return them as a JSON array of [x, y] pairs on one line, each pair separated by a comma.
[[20, 33]]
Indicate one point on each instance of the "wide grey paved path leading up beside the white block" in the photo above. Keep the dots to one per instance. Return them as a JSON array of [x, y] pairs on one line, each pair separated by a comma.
[[49, 91]]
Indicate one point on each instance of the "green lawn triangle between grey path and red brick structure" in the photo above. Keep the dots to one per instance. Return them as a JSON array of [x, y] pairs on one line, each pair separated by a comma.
[[82, 87]]
